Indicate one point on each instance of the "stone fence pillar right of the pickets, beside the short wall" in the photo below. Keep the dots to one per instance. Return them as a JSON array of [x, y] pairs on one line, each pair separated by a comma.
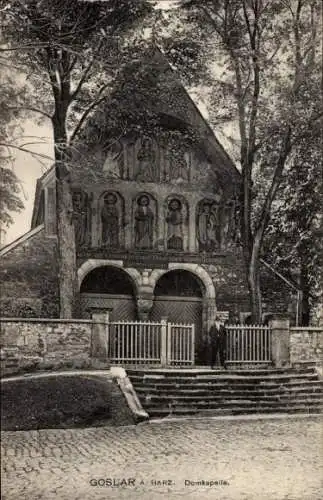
[[280, 342]]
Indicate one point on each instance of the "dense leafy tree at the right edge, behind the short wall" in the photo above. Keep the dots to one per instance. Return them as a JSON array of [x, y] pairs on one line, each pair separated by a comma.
[[293, 243]]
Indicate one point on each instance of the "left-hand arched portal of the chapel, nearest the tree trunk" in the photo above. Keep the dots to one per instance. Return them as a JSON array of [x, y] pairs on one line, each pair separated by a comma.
[[108, 289]]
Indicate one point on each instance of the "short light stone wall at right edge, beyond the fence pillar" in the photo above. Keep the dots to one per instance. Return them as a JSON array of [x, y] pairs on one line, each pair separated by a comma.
[[306, 346]]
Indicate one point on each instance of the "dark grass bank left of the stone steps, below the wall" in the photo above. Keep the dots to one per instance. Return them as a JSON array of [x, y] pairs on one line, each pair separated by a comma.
[[57, 402]]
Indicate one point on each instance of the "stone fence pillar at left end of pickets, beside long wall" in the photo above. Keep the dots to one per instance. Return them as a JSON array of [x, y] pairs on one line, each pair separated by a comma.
[[100, 337]]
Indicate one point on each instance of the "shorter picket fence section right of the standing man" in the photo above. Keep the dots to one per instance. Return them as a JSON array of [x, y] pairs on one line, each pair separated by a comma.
[[248, 344]]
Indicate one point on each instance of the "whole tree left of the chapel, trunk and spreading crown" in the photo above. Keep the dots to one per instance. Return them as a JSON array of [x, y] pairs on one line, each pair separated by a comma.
[[71, 51]]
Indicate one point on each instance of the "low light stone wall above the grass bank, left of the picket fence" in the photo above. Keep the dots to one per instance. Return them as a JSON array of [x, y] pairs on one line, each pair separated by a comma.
[[44, 344]]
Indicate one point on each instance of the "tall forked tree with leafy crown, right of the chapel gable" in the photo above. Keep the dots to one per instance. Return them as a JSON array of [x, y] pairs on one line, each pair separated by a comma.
[[265, 54]]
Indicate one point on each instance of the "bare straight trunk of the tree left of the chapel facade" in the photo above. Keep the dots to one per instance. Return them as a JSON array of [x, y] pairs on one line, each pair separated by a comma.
[[67, 277]]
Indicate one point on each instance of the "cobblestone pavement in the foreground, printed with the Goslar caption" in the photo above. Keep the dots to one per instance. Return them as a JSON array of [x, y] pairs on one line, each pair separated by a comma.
[[258, 459]]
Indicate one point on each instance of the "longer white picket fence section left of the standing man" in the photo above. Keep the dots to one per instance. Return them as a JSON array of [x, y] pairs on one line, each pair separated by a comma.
[[161, 343]]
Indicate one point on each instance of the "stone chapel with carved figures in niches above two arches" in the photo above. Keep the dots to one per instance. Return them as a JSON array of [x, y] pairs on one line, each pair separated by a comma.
[[156, 232]]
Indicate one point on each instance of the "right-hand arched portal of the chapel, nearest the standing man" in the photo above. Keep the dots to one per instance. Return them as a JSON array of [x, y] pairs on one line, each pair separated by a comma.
[[178, 296]]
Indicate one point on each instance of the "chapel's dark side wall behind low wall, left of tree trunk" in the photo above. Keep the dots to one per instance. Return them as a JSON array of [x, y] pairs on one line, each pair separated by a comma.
[[28, 276]]
